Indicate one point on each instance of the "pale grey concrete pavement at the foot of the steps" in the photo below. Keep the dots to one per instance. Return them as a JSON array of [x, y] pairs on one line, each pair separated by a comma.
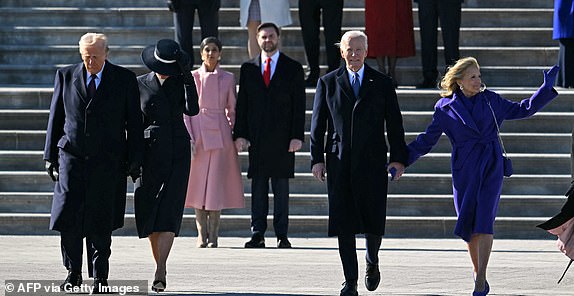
[[312, 267]]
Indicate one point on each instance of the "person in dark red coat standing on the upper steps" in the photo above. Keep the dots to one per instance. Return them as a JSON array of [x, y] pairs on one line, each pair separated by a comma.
[[389, 25]]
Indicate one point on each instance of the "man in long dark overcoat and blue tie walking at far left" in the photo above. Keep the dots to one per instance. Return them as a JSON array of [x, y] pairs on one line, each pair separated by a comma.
[[94, 140]]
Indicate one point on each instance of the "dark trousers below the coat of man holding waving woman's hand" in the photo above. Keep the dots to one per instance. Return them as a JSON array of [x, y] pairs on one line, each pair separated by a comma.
[[348, 253]]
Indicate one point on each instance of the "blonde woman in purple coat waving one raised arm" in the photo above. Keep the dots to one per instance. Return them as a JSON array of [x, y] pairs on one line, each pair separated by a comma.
[[465, 113]]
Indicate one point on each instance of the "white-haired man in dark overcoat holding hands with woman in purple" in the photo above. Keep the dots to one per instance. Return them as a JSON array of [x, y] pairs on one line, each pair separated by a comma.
[[353, 105]]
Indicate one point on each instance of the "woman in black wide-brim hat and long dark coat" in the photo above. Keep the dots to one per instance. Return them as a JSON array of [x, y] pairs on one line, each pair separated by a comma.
[[166, 94]]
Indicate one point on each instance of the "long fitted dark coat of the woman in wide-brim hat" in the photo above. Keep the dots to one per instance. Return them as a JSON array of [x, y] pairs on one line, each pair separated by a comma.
[[160, 193]]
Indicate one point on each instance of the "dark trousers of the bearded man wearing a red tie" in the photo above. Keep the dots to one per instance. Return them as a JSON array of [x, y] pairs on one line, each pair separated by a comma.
[[260, 205]]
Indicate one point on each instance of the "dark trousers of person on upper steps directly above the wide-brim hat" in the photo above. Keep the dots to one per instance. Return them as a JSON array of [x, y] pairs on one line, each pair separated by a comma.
[[183, 19]]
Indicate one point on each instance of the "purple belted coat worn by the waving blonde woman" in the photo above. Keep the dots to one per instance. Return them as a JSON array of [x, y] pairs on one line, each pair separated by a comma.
[[477, 169]]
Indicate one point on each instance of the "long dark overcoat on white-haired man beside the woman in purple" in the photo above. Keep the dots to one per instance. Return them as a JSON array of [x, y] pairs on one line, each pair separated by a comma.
[[355, 147]]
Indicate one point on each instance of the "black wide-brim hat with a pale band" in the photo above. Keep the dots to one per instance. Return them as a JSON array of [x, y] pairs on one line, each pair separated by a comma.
[[163, 57]]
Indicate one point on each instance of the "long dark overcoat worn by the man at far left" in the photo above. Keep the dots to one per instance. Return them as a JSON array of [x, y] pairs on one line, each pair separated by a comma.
[[95, 143]]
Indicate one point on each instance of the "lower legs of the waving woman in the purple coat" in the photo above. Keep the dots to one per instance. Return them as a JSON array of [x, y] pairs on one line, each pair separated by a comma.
[[479, 249]]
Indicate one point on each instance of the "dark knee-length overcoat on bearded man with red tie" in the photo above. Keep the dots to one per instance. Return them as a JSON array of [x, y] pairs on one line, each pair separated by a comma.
[[270, 117]]
